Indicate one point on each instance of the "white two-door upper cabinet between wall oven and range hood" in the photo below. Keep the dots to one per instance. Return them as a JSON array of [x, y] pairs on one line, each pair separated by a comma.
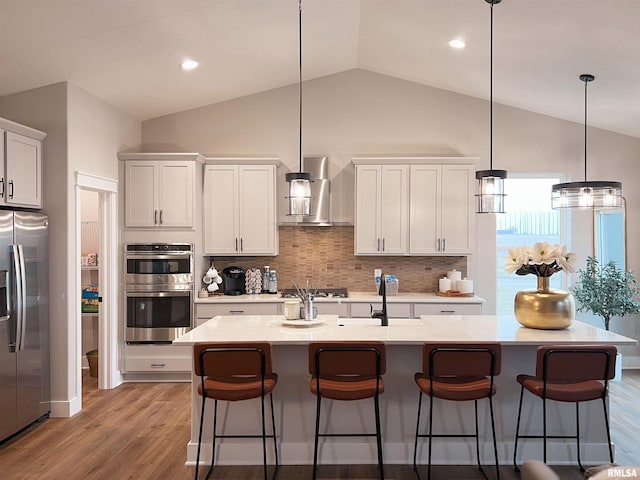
[[240, 215]]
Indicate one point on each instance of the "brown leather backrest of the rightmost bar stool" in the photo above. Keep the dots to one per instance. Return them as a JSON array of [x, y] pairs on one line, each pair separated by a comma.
[[576, 363]]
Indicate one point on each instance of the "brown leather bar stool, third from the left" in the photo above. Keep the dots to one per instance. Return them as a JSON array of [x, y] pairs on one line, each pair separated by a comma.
[[458, 372]]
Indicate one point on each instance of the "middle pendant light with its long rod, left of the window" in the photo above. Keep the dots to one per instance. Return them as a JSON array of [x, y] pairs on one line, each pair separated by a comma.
[[490, 183]]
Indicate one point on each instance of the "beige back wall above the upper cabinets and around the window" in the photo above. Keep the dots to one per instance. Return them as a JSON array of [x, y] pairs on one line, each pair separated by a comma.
[[359, 112]]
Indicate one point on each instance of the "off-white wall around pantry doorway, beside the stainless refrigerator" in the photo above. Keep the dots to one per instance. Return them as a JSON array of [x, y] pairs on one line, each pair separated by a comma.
[[84, 133]]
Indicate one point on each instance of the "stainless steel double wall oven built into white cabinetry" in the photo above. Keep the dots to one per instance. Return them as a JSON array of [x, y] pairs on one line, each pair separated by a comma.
[[159, 289]]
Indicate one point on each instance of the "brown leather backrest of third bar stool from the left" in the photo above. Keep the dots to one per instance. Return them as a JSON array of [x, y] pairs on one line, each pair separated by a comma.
[[462, 359]]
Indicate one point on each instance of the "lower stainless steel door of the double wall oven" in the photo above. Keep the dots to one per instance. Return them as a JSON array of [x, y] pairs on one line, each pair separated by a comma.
[[158, 316]]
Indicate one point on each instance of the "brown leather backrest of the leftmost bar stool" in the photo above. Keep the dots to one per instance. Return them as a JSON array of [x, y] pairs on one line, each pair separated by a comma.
[[232, 359]]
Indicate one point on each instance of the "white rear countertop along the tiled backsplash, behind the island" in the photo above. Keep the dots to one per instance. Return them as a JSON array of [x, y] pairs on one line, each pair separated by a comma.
[[354, 297]]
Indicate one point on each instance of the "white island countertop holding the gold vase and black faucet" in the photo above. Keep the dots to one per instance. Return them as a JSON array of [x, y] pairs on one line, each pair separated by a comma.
[[505, 330]]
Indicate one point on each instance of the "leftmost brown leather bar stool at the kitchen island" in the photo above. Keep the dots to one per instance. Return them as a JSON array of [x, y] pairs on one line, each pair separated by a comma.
[[234, 372]]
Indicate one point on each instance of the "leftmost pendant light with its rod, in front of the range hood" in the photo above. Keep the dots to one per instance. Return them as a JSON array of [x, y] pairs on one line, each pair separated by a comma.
[[299, 182]]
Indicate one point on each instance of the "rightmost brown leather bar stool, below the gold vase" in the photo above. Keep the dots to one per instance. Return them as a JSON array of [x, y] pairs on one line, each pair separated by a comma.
[[568, 373]]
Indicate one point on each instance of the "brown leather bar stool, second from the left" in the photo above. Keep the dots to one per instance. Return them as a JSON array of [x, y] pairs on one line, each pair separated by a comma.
[[347, 371]]
